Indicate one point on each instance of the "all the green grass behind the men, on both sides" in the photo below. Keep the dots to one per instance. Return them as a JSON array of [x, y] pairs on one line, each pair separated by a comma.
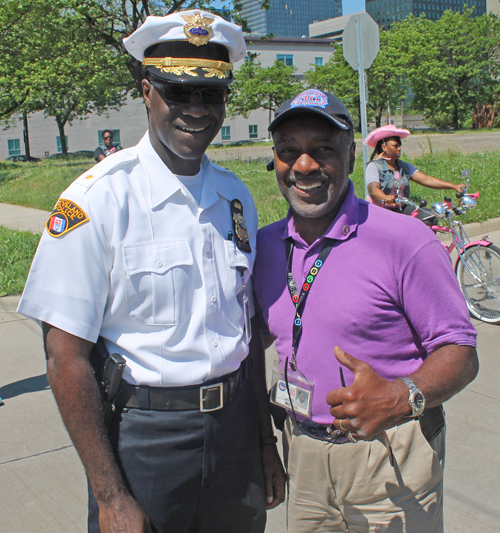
[[39, 186]]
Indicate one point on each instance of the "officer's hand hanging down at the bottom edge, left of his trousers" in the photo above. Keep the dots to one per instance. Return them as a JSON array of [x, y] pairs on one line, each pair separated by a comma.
[[123, 516]]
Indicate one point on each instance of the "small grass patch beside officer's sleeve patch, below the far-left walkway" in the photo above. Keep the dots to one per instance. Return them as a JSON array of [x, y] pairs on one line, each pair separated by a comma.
[[17, 249]]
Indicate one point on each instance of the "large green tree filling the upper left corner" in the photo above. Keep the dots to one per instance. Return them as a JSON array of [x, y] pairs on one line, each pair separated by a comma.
[[53, 65]]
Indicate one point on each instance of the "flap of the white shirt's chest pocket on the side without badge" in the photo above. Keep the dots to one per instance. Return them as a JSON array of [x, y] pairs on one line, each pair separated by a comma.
[[157, 257]]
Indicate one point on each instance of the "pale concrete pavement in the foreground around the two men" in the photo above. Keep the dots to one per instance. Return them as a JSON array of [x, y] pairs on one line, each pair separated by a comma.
[[43, 486]]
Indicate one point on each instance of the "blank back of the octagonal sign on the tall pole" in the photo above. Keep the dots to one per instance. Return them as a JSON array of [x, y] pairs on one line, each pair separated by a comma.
[[369, 42]]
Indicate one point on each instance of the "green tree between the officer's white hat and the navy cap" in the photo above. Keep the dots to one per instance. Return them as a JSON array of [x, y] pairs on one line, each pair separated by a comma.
[[256, 87]]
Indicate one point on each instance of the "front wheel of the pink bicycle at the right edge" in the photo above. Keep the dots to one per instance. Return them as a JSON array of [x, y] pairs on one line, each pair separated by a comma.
[[478, 273]]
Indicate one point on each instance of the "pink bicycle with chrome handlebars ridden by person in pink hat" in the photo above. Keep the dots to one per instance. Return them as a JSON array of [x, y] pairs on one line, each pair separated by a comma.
[[477, 266]]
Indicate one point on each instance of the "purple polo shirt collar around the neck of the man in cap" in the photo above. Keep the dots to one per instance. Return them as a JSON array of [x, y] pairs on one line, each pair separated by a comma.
[[342, 227]]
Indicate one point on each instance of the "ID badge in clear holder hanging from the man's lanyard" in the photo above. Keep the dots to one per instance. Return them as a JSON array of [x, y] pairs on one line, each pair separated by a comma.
[[295, 395]]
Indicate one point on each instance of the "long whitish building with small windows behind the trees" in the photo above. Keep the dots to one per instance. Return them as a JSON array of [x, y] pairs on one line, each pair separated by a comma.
[[130, 122]]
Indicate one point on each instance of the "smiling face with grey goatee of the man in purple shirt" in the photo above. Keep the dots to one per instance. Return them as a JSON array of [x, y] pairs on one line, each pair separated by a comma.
[[313, 160]]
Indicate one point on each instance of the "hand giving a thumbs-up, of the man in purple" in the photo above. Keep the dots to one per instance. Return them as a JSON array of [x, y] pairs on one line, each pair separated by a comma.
[[371, 404]]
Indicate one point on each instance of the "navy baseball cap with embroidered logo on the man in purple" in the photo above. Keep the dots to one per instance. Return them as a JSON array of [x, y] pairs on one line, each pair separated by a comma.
[[314, 101]]
